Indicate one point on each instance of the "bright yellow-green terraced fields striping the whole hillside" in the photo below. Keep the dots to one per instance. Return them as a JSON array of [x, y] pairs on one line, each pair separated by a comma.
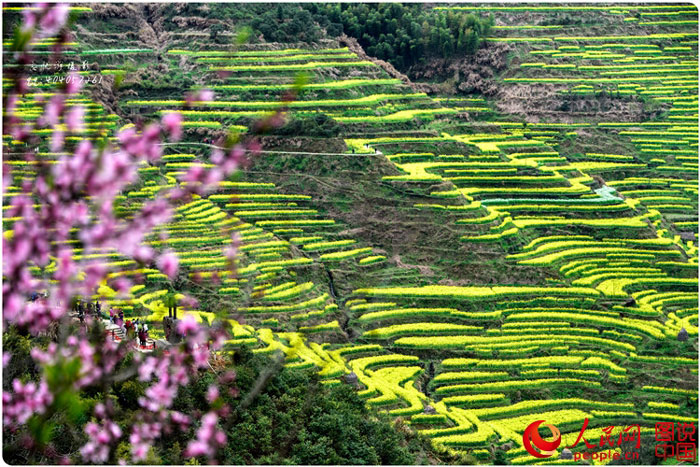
[[610, 239]]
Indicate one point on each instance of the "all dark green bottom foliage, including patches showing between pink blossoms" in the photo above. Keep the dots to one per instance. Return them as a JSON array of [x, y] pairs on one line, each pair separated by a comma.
[[294, 419]]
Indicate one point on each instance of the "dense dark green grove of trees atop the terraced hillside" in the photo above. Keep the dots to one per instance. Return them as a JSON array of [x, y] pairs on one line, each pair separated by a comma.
[[402, 34]]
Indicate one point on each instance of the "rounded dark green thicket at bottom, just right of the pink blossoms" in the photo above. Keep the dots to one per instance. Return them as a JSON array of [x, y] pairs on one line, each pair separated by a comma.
[[297, 420]]
